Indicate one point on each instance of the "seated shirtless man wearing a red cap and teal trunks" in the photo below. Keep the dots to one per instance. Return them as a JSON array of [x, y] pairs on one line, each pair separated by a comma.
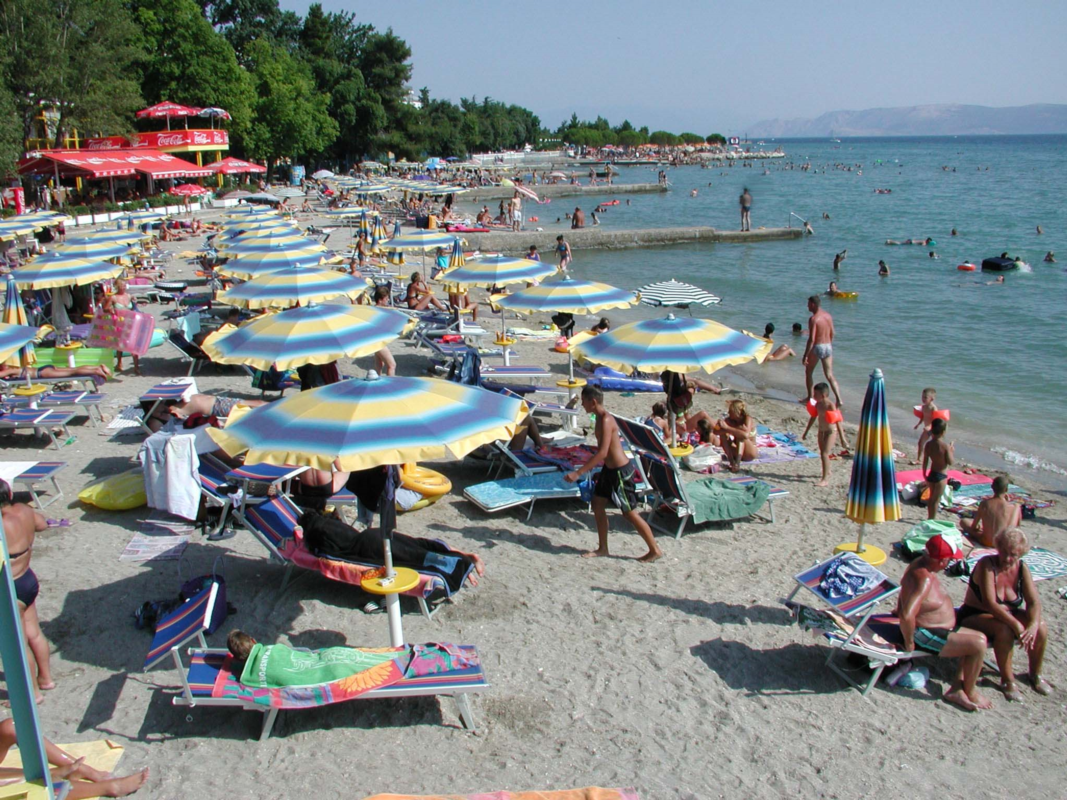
[[929, 621]]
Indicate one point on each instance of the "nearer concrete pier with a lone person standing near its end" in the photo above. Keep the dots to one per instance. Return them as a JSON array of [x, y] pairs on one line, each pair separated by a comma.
[[608, 239]]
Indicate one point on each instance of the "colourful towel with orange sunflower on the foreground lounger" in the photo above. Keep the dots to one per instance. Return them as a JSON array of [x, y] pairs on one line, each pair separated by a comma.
[[409, 662]]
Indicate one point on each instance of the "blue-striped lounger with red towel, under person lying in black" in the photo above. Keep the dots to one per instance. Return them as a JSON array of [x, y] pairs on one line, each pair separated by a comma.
[[275, 525]]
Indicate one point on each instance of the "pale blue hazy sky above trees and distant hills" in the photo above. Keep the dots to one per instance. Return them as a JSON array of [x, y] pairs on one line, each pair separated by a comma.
[[718, 68]]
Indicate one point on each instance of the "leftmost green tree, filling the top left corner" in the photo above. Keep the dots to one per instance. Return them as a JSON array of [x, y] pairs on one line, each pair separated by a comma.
[[73, 56]]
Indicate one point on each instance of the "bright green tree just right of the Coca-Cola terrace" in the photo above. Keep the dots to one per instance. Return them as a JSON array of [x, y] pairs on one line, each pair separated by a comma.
[[292, 118]]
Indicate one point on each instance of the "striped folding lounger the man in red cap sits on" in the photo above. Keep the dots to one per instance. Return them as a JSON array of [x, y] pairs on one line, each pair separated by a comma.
[[846, 627]]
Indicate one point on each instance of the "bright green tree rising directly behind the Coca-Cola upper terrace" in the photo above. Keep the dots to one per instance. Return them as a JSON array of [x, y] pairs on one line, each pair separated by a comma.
[[188, 62]]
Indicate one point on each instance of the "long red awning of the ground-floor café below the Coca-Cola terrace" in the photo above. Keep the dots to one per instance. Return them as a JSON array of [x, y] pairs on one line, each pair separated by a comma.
[[109, 165]]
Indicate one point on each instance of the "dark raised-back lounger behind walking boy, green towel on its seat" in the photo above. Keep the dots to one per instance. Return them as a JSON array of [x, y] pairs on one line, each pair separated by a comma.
[[665, 477]]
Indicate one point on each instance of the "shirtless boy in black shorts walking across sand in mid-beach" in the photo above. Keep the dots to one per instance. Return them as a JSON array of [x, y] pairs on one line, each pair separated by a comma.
[[615, 483]]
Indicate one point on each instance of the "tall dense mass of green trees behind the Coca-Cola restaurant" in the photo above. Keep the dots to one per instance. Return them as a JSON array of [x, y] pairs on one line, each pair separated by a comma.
[[323, 88]]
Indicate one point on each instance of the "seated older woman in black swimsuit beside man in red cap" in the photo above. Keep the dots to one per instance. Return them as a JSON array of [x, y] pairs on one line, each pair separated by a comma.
[[1002, 603]]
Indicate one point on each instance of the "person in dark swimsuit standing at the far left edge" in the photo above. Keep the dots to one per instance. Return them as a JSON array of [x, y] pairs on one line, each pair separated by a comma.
[[22, 524]]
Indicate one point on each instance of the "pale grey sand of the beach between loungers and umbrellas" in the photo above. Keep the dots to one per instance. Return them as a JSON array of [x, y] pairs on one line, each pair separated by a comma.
[[684, 679]]
